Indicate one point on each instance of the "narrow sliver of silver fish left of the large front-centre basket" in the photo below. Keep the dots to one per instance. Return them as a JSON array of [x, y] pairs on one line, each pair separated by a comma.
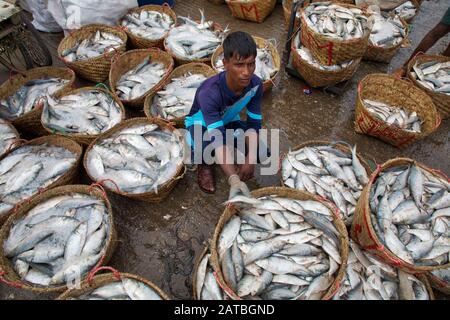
[[206, 284]]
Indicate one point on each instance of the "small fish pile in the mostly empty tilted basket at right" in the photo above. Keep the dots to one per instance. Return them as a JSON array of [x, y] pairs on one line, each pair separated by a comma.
[[395, 115]]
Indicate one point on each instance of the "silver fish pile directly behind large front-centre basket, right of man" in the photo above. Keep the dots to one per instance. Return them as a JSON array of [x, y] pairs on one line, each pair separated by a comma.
[[328, 172]]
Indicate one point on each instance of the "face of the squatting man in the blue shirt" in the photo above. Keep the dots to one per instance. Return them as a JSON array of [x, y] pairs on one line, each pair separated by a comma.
[[240, 70]]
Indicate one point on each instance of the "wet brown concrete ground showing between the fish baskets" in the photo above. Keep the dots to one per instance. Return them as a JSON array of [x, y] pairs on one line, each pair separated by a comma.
[[161, 241]]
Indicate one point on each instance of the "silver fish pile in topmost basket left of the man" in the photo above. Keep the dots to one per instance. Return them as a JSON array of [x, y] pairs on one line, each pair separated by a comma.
[[148, 24]]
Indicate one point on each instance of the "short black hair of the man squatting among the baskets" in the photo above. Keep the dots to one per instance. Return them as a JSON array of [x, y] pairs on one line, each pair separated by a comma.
[[239, 43]]
